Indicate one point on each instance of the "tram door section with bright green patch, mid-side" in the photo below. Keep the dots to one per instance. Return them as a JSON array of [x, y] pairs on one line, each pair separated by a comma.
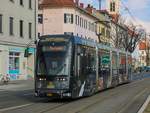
[[104, 67]]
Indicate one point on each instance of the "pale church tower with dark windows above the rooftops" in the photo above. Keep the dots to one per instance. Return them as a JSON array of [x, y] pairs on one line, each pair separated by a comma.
[[113, 7]]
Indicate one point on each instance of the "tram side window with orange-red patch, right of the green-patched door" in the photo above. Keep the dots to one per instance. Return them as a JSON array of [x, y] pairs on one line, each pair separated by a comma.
[[122, 66]]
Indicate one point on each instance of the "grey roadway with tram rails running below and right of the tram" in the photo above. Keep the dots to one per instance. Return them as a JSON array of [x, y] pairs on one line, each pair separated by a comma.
[[125, 96]]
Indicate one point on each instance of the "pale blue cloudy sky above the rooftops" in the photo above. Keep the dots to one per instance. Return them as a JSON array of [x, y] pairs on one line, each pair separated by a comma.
[[140, 9]]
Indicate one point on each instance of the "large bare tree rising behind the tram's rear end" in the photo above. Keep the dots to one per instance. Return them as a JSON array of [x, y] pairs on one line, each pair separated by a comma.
[[125, 36]]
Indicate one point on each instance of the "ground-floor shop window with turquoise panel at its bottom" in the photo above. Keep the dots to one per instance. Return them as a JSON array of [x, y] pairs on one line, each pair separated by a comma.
[[14, 62]]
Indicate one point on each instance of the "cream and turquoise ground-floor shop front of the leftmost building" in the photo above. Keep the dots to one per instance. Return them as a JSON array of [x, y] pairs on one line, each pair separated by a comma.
[[13, 62]]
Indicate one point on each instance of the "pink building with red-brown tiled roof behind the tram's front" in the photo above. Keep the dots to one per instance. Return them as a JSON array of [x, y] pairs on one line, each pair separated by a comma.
[[67, 17]]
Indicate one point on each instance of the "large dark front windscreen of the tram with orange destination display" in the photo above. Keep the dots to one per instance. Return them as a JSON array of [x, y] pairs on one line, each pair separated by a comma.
[[54, 60]]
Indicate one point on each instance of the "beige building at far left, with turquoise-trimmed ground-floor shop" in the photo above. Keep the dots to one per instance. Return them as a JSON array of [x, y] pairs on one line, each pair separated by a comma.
[[17, 32]]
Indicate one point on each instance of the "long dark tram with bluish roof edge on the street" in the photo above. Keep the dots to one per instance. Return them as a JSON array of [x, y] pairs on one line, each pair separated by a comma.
[[72, 67]]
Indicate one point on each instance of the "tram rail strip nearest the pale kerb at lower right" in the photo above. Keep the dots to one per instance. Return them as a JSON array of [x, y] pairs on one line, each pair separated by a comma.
[[129, 104]]
